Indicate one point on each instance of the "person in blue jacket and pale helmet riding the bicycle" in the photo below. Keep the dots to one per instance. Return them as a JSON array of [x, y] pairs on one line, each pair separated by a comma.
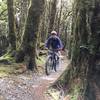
[[54, 44]]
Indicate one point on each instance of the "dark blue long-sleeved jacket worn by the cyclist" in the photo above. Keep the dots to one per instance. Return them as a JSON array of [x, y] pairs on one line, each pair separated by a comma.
[[54, 42]]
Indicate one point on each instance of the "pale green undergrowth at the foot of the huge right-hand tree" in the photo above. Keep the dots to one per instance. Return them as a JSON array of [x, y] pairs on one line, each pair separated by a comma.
[[74, 92]]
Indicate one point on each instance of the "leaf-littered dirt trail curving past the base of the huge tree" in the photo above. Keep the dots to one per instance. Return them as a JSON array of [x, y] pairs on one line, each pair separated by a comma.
[[29, 85]]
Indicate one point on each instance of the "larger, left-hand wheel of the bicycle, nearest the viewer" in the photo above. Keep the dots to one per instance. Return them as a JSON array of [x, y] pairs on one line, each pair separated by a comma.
[[48, 66]]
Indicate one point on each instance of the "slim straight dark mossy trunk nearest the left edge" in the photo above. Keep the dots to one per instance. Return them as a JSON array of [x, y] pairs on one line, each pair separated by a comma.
[[11, 24]]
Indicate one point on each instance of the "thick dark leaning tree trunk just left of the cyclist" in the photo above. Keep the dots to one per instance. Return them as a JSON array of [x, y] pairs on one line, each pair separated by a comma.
[[31, 32]]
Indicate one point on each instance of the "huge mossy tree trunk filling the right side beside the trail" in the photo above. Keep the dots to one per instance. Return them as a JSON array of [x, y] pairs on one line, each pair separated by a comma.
[[85, 45]]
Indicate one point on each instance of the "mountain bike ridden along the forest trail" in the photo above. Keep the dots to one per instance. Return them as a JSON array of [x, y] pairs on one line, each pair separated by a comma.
[[52, 62]]
